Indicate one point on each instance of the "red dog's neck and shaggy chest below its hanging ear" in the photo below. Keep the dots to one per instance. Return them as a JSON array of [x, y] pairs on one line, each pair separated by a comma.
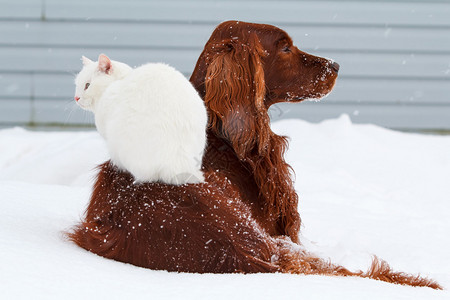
[[266, 178]]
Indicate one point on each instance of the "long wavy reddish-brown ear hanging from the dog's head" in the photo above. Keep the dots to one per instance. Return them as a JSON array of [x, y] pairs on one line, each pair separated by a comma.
[[234, 95]]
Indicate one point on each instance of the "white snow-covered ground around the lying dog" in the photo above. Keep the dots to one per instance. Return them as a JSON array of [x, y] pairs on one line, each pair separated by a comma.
[[363, 190]]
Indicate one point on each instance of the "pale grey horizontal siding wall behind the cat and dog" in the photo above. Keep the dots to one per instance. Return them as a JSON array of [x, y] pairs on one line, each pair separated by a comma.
[[394, 55]]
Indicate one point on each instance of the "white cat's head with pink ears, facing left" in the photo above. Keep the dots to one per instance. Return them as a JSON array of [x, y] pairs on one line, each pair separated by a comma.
[[95, 77]]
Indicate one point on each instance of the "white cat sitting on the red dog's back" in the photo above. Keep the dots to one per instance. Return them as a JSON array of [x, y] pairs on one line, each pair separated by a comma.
[[152, 118]]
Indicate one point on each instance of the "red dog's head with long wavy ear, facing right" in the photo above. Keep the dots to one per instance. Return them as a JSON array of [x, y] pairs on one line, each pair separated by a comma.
[[245, 68]]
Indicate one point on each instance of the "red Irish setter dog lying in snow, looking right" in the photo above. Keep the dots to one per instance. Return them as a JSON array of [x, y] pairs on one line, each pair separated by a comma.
[[243, 218]]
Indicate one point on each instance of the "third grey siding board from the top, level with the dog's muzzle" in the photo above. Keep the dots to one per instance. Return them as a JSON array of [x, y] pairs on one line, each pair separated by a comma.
[[420, 66]]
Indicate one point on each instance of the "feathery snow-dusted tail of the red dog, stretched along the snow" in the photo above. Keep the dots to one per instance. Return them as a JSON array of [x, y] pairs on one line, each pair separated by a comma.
[[292, 259]]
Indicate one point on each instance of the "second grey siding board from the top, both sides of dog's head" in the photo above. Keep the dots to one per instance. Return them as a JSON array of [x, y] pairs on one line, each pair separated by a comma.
[[133, 35]]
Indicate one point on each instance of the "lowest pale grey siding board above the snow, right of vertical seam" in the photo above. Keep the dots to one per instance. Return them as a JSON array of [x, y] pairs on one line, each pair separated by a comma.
[[424, 117]]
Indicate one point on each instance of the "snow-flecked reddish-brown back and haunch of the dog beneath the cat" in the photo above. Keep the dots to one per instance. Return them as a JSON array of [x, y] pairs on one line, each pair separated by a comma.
[[202, 228]]
